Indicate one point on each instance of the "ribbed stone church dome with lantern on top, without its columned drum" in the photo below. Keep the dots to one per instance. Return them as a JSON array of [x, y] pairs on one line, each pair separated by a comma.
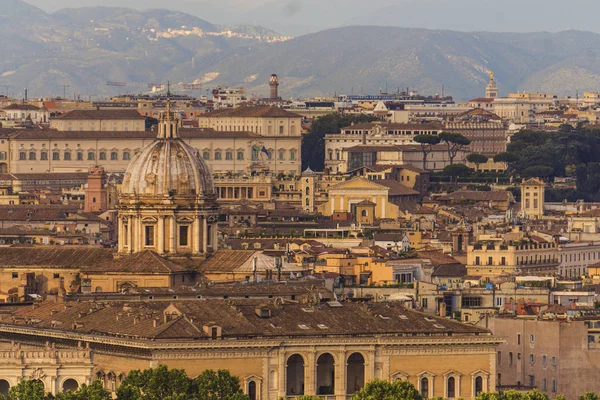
[[168, 166]]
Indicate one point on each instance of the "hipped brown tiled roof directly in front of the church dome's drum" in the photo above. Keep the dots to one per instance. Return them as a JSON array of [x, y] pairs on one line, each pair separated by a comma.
[[139, 263]]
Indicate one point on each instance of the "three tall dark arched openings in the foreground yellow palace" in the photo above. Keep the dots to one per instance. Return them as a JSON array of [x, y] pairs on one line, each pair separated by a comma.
[[325, 376]]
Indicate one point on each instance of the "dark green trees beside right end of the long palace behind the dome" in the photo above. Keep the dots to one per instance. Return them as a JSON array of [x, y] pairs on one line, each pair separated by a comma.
[[313, 144]]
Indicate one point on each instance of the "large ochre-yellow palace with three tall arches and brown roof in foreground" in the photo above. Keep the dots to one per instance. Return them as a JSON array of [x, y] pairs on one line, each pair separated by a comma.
[[277, 348]]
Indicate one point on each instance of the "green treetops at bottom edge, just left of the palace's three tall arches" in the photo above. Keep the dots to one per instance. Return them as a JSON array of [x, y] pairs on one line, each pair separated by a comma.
[[163, 384]]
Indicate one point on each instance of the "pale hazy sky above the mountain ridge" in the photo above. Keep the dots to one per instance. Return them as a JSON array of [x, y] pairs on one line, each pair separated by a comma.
[[295, 17]]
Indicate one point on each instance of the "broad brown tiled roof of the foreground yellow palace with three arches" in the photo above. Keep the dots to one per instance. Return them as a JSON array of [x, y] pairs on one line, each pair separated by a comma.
[[185, 320]]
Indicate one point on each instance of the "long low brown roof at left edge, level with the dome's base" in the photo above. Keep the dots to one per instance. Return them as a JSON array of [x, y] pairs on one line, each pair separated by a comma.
[[48, 257]]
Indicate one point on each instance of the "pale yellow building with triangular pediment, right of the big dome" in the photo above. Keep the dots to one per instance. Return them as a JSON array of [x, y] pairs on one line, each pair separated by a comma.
[[345, 196]]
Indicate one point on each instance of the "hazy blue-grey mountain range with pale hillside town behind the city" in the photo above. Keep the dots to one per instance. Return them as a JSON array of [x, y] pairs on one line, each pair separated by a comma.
[[76, 51]]
